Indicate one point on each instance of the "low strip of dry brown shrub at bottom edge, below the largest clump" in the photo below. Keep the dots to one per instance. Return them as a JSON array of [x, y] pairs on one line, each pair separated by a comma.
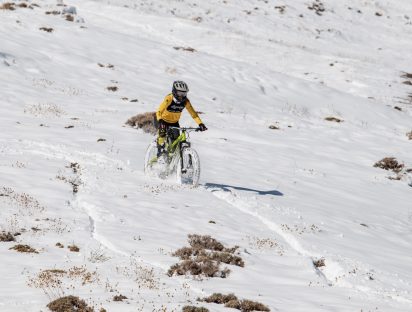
[[231, 301]]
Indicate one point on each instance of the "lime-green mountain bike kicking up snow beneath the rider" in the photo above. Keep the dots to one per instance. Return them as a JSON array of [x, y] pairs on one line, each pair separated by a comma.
[[179, 158]]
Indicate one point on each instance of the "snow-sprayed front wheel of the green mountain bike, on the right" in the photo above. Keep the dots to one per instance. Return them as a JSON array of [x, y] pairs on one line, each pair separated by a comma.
[[190, 172]]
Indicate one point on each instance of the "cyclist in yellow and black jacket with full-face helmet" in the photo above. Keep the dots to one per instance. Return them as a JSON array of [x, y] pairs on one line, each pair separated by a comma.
[[168, 114]]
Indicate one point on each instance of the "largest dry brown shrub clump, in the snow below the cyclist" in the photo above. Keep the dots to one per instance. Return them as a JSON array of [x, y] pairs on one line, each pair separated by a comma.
[[204, 258]]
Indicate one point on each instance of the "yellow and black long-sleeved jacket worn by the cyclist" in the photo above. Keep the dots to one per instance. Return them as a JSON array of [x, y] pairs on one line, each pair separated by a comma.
[[170, 111]]
